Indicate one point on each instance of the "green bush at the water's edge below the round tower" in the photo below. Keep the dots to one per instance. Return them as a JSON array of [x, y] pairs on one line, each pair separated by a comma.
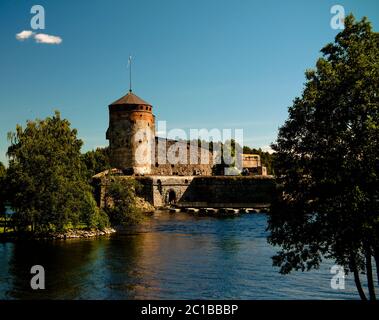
[[121, 202]]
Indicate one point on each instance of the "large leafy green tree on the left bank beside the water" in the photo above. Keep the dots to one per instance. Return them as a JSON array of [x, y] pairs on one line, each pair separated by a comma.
[[46, 179]]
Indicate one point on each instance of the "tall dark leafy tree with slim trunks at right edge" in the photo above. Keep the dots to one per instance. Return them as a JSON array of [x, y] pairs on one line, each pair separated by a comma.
[[327, 162]]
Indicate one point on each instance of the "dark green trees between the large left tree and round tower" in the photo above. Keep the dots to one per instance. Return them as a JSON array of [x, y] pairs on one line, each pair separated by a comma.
[[96, 161]]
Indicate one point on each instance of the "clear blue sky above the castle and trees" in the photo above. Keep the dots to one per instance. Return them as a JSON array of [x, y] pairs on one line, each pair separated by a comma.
[[201, 64]]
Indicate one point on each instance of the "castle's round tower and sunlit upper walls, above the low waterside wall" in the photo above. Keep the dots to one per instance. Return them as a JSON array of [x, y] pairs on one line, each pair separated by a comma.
[[135, 149]]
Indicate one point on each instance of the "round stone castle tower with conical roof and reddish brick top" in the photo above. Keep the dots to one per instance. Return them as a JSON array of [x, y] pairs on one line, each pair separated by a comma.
[[131, 134]]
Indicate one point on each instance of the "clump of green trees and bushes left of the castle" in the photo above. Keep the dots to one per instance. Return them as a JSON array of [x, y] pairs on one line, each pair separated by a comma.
[[48, 181]]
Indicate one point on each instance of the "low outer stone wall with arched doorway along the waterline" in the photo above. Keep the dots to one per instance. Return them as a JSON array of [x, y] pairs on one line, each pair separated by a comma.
[[216, 191]]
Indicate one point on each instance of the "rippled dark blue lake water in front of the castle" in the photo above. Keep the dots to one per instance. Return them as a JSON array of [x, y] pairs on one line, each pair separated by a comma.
[[171, 256]]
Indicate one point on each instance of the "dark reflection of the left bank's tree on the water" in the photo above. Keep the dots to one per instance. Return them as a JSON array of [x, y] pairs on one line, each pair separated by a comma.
[[64, 263]]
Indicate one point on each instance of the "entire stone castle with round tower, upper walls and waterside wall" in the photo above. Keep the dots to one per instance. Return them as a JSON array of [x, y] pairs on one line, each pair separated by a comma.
[[174, 172]]
